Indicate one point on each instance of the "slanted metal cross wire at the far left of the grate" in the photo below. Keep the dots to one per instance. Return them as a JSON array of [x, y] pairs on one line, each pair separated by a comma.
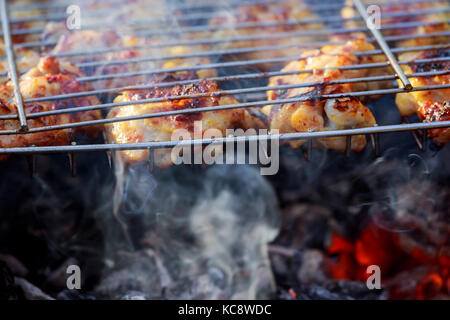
[[12, 65]]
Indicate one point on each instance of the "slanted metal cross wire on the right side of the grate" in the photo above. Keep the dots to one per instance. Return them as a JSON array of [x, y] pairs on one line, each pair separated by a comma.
[[384, 46]]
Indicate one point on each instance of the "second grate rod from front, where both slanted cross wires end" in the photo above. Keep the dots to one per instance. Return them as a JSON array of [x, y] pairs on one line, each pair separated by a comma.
[[226, 107]]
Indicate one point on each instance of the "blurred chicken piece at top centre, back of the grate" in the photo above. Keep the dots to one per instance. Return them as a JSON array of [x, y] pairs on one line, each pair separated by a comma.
[[276, 13]]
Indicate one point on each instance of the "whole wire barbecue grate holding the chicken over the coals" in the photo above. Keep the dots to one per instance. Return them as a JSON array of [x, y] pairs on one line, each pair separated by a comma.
[[192, 23]]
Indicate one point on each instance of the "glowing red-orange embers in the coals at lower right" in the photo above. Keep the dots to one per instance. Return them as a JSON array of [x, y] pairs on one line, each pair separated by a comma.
[[348, 260]]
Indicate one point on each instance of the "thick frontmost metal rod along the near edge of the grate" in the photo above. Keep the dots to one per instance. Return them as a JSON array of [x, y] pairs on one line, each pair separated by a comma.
[[281, 137]]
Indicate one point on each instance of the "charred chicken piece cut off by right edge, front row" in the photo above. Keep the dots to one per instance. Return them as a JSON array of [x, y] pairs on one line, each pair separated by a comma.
[[429, 105]]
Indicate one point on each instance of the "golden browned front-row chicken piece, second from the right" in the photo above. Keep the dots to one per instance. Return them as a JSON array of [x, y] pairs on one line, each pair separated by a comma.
[[320, 115]]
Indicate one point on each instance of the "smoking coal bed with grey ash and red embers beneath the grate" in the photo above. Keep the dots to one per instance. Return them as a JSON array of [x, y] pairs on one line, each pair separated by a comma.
[[315, 230]]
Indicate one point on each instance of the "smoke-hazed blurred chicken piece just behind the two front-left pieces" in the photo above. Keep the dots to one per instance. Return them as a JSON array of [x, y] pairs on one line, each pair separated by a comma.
[[79, 41]]
